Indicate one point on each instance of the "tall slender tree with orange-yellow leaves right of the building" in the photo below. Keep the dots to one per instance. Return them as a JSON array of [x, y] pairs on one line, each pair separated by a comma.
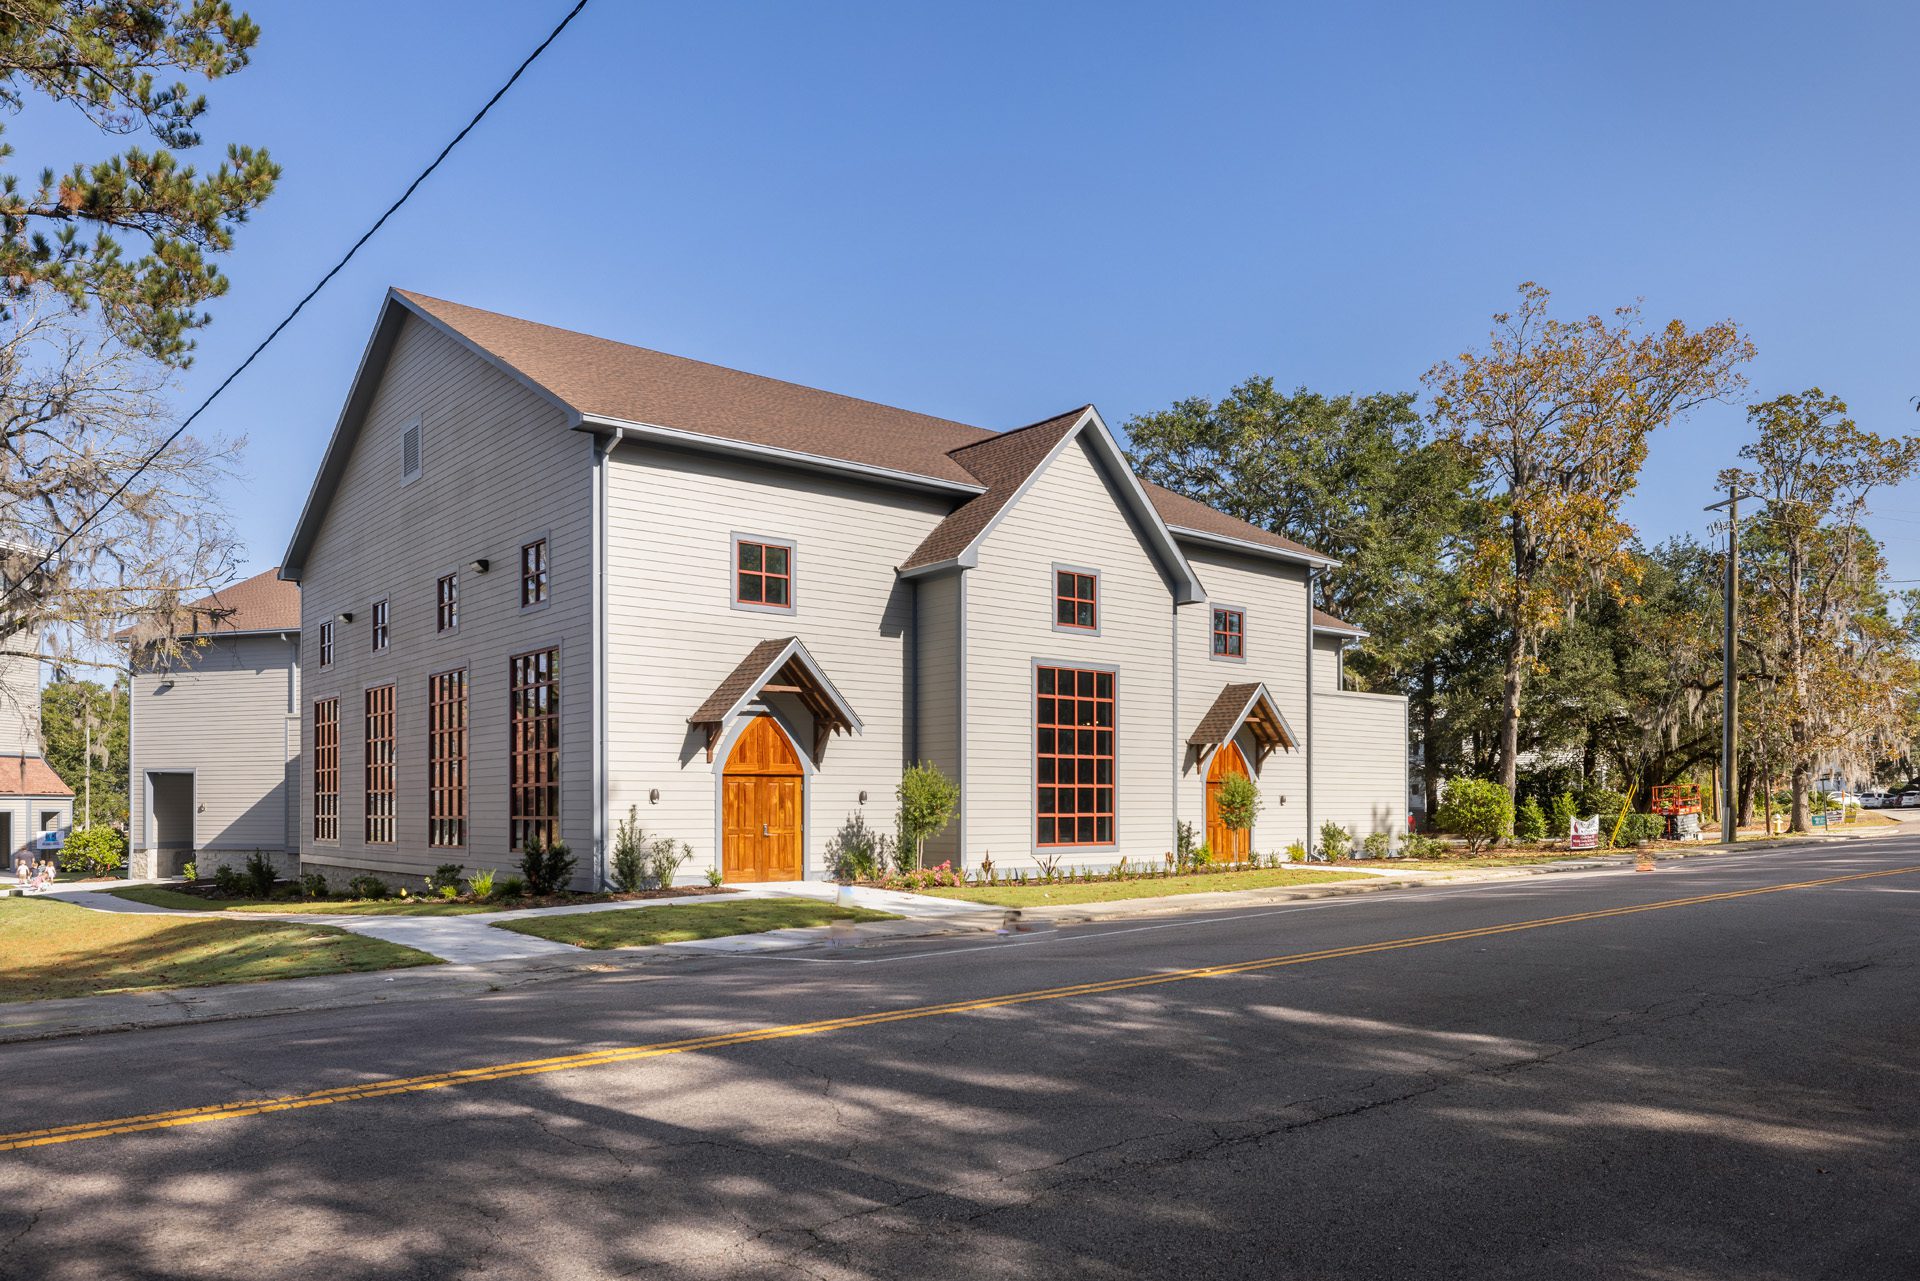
[[1556, 416]]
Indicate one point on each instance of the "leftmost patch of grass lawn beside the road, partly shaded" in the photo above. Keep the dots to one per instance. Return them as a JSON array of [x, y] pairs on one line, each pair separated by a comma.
[[57, 950]]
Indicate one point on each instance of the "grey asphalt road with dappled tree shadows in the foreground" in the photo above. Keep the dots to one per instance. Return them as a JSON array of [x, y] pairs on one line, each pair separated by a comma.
[[1389, 1086]]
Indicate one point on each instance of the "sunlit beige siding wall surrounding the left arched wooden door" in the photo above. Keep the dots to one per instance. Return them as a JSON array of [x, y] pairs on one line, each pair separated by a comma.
[[675, 633]]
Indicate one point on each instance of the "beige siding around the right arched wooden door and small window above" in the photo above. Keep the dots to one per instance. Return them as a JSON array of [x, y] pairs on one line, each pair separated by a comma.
[[1274, 596]]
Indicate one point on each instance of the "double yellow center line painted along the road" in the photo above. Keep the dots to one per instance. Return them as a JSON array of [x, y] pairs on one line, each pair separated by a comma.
[[723, 1040]]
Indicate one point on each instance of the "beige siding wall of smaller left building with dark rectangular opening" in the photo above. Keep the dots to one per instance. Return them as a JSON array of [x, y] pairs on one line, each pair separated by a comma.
[[229, 713]]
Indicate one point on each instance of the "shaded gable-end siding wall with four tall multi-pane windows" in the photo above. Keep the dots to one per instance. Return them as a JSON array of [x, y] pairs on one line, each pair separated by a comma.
[[500, 468]]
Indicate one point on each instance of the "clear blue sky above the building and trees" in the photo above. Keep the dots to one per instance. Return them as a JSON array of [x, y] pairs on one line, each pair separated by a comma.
[[997, 212]]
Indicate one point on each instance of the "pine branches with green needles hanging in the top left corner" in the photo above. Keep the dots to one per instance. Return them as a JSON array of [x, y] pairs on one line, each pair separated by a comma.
[[66, 231]]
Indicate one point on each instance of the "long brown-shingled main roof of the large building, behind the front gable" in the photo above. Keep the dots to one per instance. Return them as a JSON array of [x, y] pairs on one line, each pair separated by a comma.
[[604, 385]]
